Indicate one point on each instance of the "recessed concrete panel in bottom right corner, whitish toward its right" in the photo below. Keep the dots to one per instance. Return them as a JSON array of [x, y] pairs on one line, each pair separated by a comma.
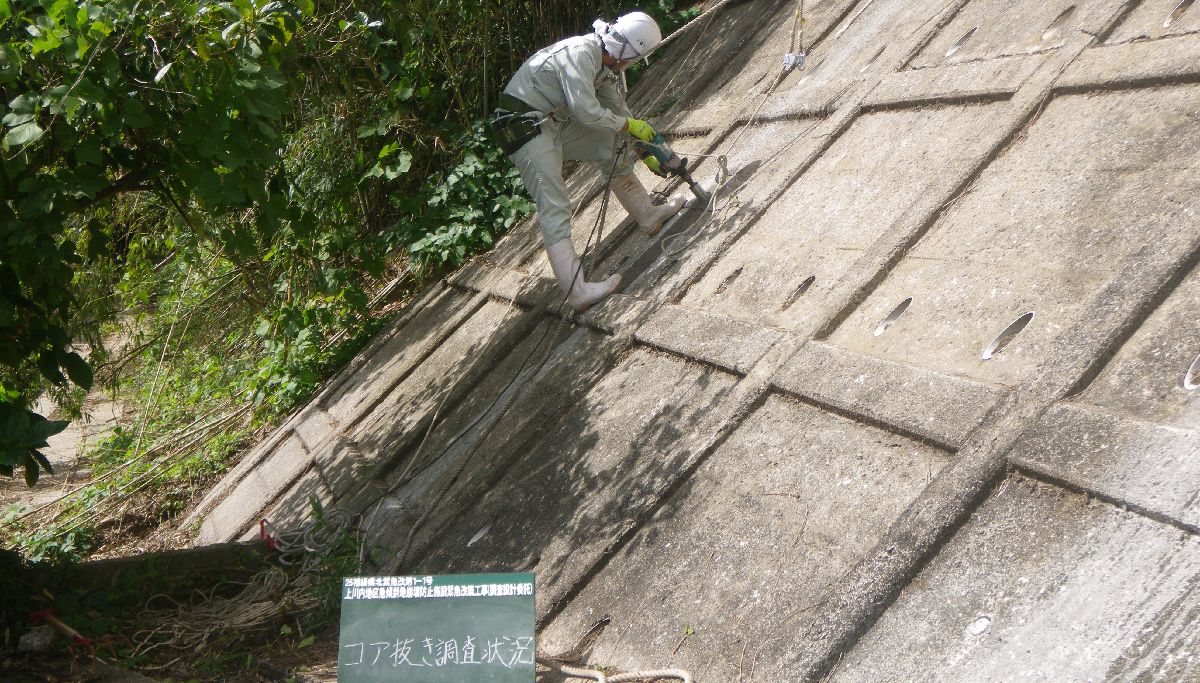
[[1043, 585]]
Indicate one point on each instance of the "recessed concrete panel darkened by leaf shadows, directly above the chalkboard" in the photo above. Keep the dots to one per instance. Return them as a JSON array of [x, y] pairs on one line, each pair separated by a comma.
[[590, 480]]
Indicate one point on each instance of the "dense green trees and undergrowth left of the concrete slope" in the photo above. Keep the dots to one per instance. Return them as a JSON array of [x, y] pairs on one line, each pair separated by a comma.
[[237, 191]]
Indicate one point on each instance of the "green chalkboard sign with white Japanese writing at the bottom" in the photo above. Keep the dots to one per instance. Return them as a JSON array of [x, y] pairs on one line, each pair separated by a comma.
[[466, 628]]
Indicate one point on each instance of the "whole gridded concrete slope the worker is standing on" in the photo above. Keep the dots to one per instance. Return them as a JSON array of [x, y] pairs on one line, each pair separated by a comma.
[[914, 399]]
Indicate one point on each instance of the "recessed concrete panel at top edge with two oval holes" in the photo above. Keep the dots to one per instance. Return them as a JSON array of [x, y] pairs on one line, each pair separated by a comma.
[[988, 29]]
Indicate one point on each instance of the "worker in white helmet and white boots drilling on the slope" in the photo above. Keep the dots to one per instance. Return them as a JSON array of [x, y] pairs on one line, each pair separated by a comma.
[[568, 103]]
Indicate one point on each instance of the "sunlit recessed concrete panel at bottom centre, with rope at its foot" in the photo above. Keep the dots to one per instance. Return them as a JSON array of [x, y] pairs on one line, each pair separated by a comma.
[[793, 500]]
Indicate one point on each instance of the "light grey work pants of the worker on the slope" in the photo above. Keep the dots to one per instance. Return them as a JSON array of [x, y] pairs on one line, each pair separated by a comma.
[[541, 163]]
